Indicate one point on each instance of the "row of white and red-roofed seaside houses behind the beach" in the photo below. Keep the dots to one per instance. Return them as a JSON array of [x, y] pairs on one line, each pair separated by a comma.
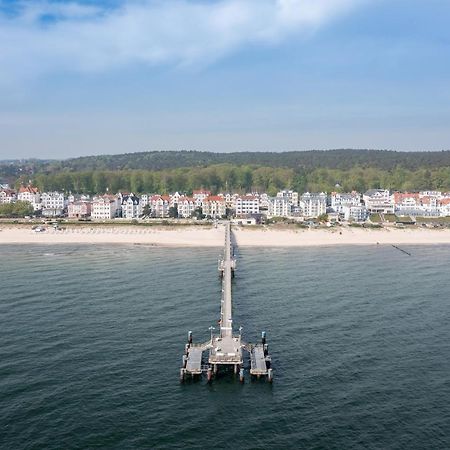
[[352, 206]]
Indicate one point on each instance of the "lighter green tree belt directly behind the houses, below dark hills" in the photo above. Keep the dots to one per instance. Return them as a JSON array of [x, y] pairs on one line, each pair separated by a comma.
[[241, 178]]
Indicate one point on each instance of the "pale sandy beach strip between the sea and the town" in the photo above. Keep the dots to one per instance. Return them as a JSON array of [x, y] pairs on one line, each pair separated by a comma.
[[213, 237]]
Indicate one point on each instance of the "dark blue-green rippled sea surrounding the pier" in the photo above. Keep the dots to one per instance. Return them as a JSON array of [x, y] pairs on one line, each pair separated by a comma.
[[91, 340]]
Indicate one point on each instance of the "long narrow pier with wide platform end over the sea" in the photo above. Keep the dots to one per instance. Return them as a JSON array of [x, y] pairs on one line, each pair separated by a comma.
[[226, 350]]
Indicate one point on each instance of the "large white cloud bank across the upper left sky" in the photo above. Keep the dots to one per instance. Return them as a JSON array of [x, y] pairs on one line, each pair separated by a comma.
[[47, 37]]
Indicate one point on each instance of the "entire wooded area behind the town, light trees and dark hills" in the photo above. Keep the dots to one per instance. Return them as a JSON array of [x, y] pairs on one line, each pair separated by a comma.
[[333, 170]]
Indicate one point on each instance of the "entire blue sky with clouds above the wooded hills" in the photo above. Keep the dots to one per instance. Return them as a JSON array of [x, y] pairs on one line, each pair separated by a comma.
[[113, 76]]
